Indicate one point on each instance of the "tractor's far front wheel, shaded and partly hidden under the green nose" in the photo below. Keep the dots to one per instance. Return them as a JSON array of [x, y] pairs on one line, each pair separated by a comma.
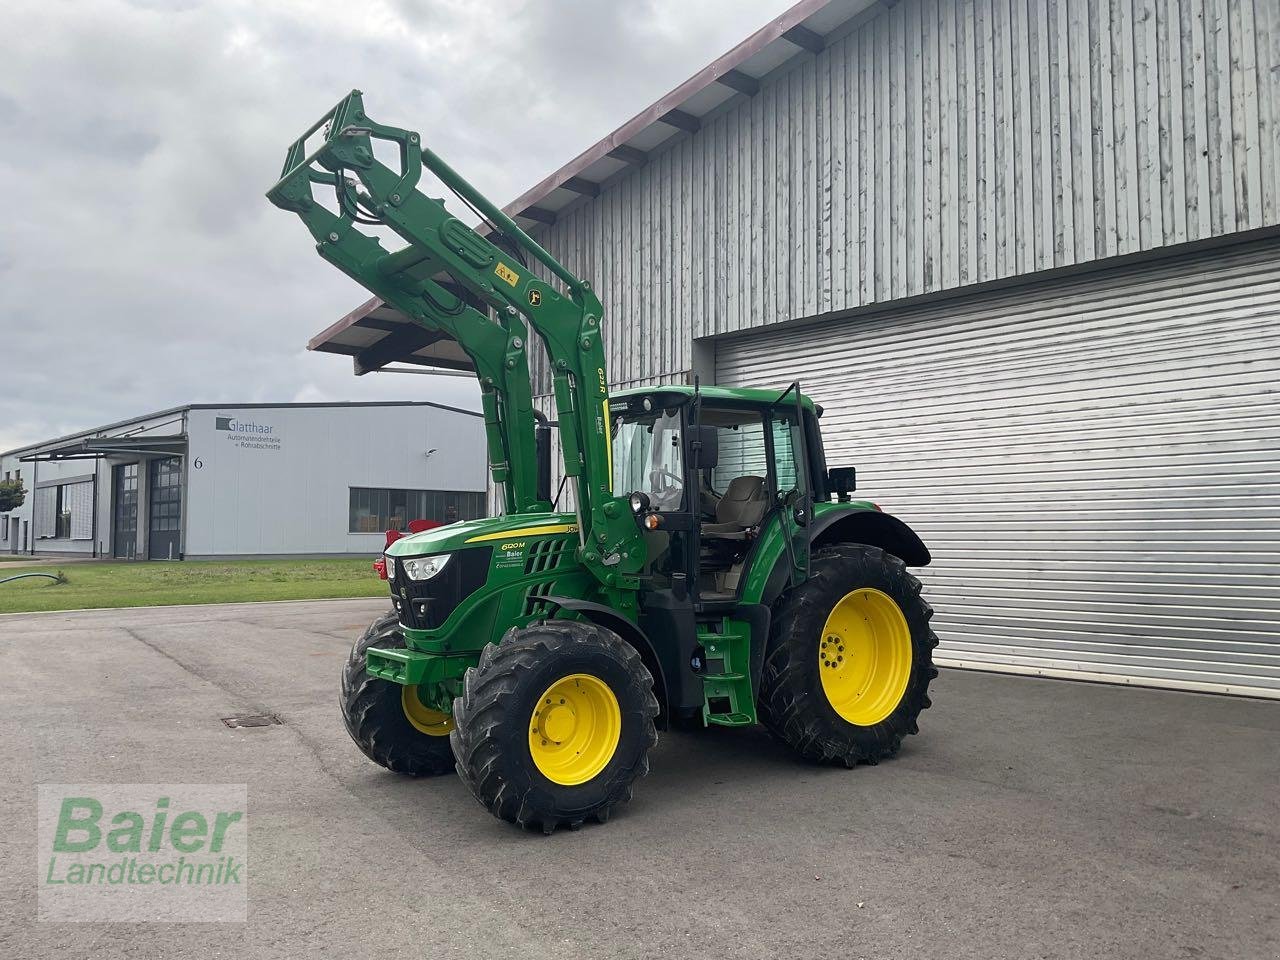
[[388, 721]]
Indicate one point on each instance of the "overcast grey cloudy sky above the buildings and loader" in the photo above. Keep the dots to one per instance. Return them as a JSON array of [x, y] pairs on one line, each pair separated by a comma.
[[140, 266]]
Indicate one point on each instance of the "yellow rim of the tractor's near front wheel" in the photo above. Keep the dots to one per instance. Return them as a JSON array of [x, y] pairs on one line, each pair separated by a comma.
[[575, 730]]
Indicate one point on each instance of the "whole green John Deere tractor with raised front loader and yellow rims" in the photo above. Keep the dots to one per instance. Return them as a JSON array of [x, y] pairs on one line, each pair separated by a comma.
[[712, 570]]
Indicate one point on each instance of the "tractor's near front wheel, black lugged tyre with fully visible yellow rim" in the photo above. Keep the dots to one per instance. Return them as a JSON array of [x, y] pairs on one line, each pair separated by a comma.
[[555, 725]]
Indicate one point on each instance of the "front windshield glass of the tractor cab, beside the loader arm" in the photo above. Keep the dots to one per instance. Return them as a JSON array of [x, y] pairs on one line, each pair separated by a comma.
[[648, 458]]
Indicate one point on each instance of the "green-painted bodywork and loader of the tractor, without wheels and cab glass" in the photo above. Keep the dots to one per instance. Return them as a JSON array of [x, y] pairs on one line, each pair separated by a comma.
[[478, 290]]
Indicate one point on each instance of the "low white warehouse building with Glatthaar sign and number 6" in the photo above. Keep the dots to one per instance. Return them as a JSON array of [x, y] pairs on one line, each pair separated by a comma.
[[209, 482]]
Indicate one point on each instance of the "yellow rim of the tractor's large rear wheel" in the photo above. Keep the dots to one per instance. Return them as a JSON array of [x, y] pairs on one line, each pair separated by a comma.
[[865, 657]]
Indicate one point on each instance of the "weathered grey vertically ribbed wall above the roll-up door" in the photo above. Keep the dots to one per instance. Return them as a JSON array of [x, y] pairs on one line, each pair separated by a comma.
[[940, 144]]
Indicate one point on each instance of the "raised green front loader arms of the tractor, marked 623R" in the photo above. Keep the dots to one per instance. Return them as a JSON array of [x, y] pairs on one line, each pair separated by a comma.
[[440, 246]]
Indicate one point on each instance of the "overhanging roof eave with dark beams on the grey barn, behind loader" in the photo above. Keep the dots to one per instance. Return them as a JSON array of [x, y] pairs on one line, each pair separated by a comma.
[[376, 335]]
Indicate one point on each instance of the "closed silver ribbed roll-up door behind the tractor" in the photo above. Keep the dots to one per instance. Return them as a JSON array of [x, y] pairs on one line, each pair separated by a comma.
[[1095, 465]]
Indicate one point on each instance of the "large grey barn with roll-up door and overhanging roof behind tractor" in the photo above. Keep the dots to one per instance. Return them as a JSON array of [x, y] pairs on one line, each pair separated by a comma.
[[1026, 254]]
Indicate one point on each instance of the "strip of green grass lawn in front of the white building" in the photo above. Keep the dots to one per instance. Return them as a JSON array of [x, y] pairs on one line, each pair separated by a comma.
[[141, 584]]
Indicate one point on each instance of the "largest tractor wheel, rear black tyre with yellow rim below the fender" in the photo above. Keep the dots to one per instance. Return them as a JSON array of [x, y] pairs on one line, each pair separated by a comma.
[[851, 659]]
